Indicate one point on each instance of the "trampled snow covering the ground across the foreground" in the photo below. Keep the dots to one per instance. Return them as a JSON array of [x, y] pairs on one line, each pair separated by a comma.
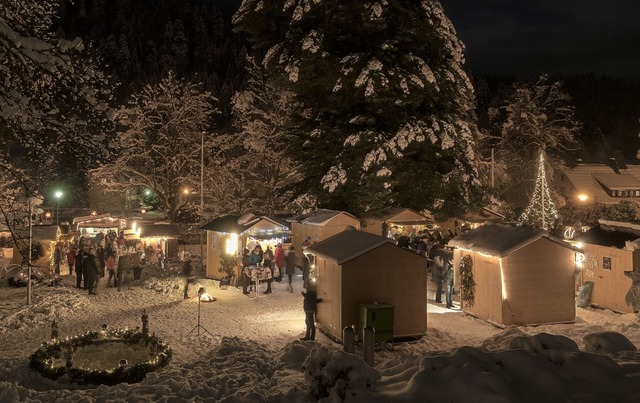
[[248, 349]]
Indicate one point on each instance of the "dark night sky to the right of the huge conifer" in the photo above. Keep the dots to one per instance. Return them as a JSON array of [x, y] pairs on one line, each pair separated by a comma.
[[524, 38]]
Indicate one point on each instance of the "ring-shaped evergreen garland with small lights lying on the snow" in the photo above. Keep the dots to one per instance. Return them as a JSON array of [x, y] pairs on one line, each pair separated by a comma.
[[42, 360]]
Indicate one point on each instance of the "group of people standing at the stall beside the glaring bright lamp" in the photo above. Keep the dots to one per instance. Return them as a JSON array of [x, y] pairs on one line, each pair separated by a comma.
[[267, 265]]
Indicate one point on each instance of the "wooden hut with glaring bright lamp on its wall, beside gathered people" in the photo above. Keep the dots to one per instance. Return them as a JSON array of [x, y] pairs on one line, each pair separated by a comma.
[[229, 234]]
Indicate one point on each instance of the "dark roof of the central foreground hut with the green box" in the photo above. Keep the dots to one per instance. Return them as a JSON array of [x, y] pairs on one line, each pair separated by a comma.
[[347, 245]]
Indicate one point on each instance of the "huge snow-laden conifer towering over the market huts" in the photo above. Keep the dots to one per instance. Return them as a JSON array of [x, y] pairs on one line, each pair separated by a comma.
[[387, 109]]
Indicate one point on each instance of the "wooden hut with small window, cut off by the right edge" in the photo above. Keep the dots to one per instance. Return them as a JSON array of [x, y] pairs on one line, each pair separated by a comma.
[[610, 249]]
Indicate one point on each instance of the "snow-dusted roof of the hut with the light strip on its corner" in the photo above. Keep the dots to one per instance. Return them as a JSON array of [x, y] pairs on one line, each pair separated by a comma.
[[501, 239]]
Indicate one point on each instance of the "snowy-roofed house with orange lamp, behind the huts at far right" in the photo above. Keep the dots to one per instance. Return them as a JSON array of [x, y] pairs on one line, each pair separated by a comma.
[[588, 184]]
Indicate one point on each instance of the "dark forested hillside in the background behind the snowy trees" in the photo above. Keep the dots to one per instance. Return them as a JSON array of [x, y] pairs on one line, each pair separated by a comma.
[[138, 41]]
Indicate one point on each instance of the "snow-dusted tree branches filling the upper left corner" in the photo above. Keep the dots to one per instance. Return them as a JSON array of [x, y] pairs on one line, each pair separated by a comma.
[[52, 98]]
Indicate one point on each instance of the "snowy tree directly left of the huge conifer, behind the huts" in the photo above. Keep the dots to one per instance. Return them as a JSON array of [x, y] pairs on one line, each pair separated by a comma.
[[252, 156]]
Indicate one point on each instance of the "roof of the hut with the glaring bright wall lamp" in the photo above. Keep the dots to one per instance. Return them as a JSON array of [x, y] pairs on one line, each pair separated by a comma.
[[248, 225]]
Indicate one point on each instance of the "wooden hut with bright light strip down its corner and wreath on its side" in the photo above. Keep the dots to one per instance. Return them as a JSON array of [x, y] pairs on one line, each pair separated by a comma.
[[522, 275]]
